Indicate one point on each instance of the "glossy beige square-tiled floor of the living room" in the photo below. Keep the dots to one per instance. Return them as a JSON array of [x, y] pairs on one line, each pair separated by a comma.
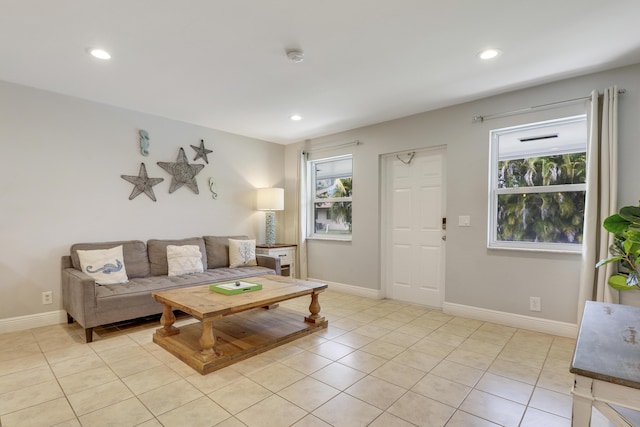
[[380, 363]]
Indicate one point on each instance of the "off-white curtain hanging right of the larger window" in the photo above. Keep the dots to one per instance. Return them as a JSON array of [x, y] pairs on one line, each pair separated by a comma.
[[601, 199]]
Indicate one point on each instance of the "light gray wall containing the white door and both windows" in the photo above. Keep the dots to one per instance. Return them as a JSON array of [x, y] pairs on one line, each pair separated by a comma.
[[492, 279]]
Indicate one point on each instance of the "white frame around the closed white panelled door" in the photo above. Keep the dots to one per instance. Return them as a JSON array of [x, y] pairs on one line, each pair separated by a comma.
[[384, 230]]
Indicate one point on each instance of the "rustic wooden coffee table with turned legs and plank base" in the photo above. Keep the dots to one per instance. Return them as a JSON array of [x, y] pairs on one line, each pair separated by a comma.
[[253, 329]]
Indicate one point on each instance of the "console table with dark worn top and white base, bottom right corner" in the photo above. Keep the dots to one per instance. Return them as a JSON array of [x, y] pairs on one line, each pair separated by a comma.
[[606, 363]]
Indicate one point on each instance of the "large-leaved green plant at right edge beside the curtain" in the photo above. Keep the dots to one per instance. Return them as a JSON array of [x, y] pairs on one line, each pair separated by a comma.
[[625, 226]]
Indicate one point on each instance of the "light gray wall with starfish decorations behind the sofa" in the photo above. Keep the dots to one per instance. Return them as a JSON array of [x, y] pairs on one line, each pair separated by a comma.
[[60, 184]]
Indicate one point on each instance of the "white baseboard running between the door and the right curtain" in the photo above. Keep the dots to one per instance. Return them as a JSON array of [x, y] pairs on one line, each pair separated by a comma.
[[546, 326]]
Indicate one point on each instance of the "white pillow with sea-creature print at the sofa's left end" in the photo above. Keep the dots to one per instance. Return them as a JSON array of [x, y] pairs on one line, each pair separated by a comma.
[[106, 266]]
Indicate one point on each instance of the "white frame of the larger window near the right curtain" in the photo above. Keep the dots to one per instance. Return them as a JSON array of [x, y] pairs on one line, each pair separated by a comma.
[[494, 191]]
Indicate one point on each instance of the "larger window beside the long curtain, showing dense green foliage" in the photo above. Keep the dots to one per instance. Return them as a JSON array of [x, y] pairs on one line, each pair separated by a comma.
[[538, 185]]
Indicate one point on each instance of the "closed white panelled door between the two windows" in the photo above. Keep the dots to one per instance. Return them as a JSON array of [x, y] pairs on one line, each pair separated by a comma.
[[414, 235]]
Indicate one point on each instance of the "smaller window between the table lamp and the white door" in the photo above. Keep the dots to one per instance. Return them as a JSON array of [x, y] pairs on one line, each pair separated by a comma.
[[331, 191]]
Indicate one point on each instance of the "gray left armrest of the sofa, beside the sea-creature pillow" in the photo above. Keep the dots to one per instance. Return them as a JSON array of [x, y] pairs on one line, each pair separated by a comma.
[[78, 295]]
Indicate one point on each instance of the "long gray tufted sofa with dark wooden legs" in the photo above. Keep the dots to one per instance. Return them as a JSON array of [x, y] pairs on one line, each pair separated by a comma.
[[91, 304]]
